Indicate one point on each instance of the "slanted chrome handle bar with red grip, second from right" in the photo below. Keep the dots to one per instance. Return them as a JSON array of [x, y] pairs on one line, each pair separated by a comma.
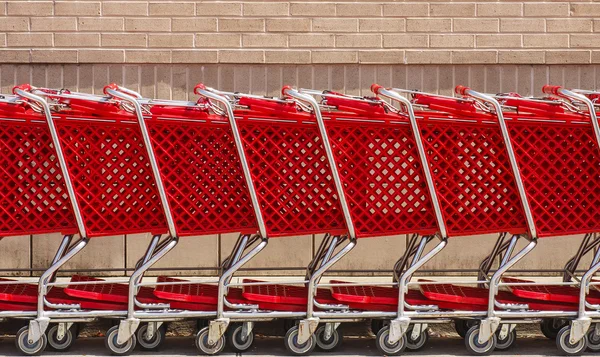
[[466, 91]]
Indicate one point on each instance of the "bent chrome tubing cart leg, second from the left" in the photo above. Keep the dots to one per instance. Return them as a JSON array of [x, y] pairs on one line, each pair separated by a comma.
[[128, 326]]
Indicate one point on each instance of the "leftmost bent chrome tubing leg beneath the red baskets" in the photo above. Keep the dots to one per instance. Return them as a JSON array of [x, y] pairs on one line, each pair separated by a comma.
[[38, 326]]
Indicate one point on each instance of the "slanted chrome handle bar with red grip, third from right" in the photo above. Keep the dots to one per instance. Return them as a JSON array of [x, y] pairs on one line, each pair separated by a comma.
[[435, 202]]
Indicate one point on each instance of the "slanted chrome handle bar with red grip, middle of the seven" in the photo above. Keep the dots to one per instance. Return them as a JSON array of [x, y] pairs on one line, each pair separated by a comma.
[[288, 91]]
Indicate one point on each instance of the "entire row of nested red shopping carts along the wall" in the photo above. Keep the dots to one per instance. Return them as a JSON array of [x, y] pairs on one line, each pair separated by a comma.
[[310, 162]]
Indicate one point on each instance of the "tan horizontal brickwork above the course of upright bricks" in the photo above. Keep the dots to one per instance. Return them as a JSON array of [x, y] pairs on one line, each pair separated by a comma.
[[295, 32]]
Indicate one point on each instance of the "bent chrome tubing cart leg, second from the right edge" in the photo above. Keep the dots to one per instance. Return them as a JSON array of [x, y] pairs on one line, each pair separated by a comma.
[[490, 324]]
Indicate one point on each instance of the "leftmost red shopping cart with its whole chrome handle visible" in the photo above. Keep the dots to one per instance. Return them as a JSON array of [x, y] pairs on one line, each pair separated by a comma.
[[110, 184]]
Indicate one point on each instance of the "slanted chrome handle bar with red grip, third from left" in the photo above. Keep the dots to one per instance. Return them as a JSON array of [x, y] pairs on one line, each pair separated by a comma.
[[209, 93]]
